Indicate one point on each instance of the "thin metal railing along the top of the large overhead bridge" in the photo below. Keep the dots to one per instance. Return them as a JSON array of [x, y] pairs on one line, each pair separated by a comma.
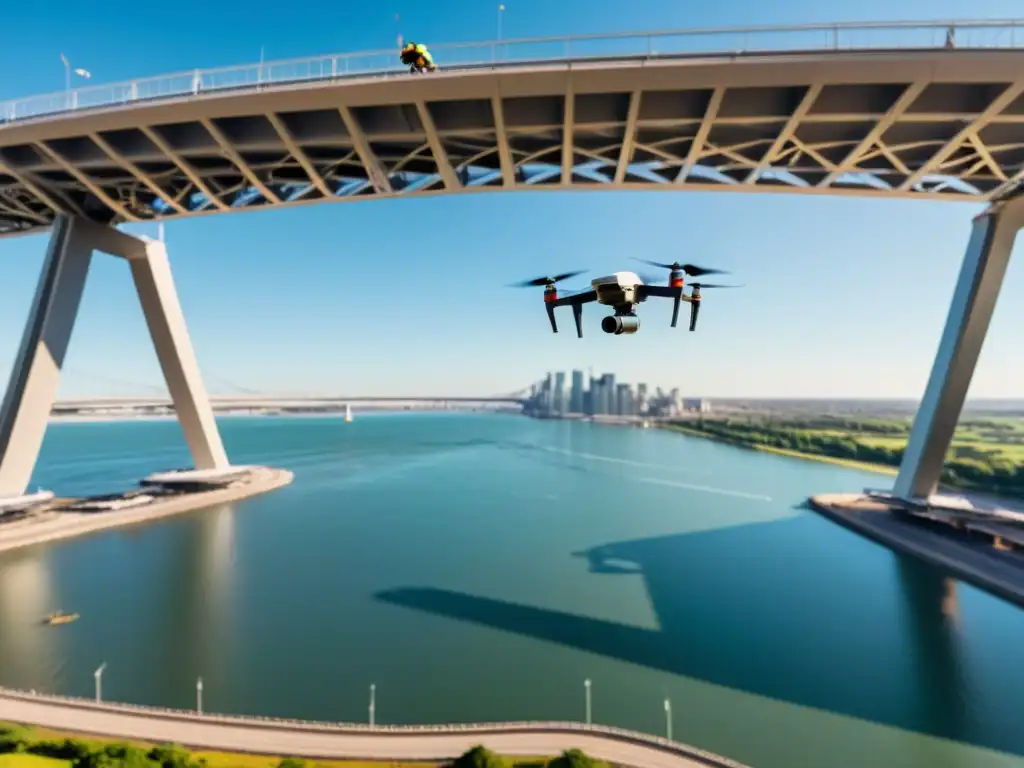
[[670, 44]]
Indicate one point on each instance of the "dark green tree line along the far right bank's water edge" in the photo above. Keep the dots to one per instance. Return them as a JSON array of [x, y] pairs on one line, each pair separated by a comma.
[[968, 468]]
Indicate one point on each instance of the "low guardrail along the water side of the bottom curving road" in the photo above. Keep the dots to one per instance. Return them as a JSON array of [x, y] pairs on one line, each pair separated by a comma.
[[263, 721]]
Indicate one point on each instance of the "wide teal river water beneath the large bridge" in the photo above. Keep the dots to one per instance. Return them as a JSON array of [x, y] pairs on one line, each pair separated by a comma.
[[482, 568]]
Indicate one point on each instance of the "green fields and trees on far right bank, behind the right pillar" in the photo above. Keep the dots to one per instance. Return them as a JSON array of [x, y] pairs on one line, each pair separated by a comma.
[[988, 454]]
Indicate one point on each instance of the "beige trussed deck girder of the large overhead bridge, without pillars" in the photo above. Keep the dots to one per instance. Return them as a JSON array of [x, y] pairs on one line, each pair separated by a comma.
[[941, 125]]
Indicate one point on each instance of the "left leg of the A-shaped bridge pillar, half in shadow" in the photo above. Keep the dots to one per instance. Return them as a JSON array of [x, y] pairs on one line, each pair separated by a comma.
[[36, 373]]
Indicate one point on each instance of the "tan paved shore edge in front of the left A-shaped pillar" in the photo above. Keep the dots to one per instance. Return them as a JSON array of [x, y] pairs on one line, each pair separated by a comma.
[[52, 525]]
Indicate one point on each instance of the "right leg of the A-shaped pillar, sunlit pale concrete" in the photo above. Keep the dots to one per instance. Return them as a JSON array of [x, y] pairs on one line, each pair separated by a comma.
[[155, 285]]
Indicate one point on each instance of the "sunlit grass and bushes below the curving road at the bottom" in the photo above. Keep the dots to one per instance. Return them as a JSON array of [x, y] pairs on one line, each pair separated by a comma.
[[30, 748]]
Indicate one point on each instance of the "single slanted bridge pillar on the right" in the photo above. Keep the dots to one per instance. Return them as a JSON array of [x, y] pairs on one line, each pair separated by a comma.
[[970, 313]]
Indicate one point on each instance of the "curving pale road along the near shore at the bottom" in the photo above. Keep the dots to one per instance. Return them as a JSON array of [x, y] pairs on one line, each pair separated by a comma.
[[338, 742]]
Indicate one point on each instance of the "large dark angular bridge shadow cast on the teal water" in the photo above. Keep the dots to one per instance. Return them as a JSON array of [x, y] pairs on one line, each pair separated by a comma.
[[758, 609]]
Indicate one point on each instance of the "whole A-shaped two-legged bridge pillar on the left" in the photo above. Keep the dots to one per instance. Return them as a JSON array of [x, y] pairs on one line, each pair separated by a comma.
[[35, 376]]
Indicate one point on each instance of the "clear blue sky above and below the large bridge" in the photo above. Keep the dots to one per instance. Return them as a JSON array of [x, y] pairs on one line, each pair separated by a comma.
[[844, 297]]
